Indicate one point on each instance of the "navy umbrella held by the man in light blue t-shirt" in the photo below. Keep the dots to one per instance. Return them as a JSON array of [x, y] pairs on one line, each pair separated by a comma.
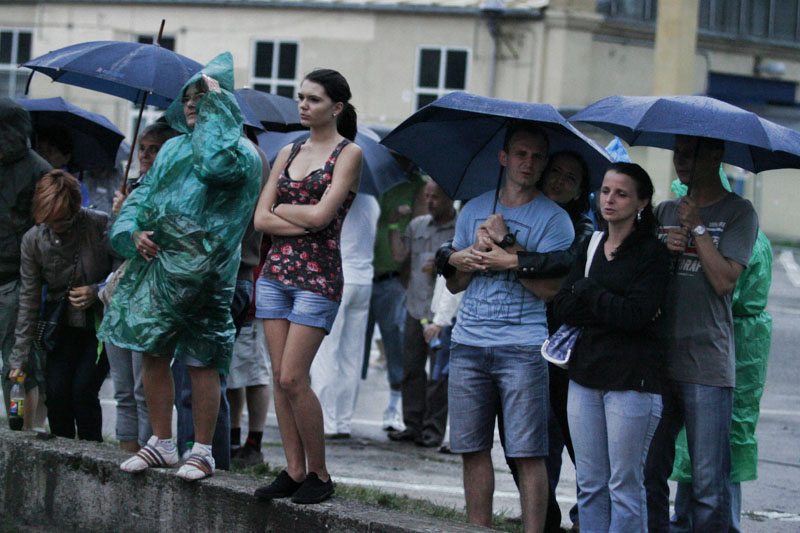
[[456, 140]]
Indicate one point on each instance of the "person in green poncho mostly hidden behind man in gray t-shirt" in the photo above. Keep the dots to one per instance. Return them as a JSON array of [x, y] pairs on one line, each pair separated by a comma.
[[752, 331]]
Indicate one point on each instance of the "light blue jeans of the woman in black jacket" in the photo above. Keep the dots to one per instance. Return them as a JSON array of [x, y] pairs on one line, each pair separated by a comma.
[[611, 432]]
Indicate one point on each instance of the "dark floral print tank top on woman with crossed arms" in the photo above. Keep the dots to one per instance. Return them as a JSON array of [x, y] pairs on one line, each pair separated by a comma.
[[310, 262]]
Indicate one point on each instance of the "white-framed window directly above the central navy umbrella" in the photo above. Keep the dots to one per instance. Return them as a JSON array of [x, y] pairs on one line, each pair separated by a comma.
[[440, 70]]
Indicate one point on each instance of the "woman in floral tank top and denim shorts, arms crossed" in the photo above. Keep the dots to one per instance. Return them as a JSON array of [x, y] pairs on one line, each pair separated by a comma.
[[309, 192]]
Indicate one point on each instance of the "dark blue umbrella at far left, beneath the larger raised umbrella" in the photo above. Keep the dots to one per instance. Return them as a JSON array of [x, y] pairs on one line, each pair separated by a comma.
[[95, 140]]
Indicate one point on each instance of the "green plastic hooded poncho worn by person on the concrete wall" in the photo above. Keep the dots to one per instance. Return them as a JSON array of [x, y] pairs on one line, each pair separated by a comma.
[[198, 199]]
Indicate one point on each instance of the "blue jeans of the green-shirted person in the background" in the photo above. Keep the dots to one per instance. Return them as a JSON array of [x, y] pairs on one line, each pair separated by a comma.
[[387, 308]]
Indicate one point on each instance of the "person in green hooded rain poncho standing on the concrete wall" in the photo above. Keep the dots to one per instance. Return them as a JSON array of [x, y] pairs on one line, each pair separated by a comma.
[[183, 228]]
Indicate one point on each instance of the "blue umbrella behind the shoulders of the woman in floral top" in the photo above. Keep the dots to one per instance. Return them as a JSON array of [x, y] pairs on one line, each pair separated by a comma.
[[379, 173]]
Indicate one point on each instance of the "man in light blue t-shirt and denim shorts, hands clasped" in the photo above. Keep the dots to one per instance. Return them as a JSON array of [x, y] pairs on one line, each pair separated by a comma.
[[495, 359]]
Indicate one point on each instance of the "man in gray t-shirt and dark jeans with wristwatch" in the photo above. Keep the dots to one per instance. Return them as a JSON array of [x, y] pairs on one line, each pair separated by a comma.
[[711, 233]]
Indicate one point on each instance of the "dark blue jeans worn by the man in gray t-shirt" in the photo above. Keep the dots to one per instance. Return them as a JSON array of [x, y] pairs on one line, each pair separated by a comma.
[[706, 411]]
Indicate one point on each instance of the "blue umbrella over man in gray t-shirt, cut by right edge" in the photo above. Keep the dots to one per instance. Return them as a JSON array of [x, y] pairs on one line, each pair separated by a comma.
[[751, 142]]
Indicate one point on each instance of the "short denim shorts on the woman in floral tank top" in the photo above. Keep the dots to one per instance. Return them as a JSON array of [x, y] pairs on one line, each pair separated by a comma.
[[274, 300]]
